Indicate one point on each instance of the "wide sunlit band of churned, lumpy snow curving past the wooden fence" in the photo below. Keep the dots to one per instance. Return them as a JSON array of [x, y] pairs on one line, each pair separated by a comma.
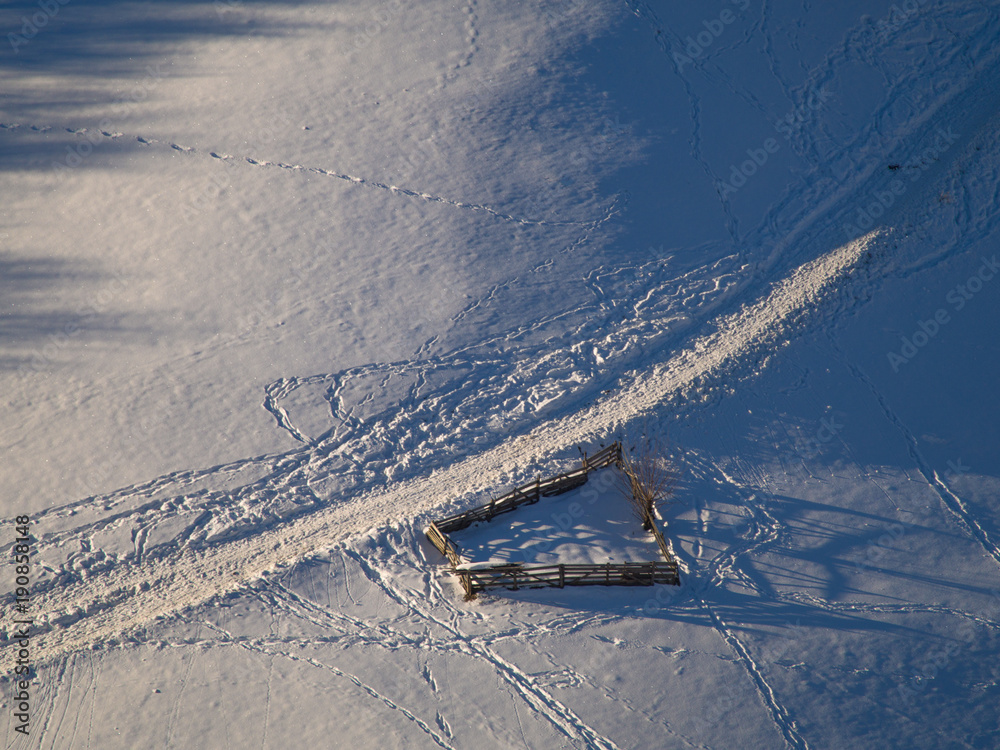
[[128, 596]]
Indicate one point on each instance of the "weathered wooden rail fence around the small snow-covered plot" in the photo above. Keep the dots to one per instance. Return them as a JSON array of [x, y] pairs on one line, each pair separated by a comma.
[[516, 576]]
